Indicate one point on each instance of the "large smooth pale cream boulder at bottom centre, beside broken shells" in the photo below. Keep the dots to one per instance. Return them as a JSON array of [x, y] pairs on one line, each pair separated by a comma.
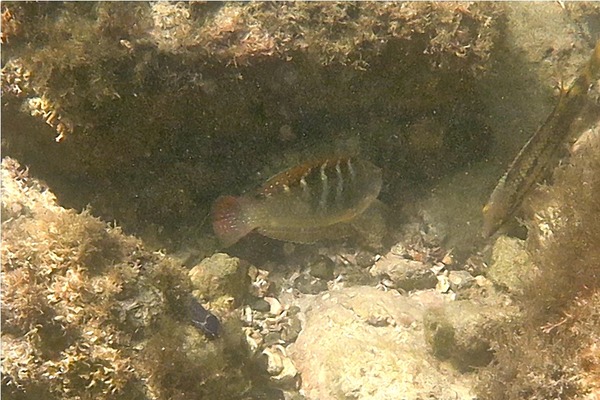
[[370, 345]]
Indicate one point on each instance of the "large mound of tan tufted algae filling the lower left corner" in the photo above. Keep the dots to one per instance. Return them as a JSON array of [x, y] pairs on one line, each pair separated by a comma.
[[88, 313]]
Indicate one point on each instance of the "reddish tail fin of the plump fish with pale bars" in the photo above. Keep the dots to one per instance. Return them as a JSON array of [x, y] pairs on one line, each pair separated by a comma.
[[229, 222]]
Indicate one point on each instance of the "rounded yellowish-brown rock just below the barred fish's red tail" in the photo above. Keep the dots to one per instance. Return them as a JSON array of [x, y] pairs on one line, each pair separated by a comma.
[[221, 275]]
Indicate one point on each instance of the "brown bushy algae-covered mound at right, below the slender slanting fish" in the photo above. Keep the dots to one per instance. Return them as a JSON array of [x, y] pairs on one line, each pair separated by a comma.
[[551, 351]]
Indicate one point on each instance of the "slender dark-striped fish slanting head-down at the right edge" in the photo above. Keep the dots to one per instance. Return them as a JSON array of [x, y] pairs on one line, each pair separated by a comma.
[[542, 152]]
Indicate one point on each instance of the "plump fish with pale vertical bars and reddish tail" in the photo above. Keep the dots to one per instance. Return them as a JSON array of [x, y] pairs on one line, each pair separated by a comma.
[[318, 199]]
